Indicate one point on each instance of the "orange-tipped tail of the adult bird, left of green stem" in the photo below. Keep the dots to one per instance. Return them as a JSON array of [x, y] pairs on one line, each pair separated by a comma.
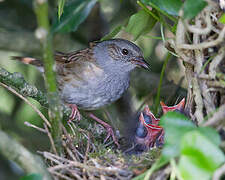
[[29, 60]]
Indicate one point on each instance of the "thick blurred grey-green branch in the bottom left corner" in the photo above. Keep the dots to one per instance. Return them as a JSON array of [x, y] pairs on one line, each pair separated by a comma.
[[14, 151]]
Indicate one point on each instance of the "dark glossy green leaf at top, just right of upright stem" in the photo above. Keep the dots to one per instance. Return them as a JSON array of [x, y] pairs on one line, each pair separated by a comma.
[[75, 12]]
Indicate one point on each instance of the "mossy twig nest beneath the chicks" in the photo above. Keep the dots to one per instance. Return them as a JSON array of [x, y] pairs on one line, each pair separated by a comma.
[[81, 158]]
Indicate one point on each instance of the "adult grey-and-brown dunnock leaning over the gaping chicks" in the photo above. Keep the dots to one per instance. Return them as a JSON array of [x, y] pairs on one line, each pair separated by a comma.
[[95, 76]]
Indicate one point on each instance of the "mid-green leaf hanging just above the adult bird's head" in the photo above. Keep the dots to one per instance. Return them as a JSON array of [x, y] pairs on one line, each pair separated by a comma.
[[140, 24]]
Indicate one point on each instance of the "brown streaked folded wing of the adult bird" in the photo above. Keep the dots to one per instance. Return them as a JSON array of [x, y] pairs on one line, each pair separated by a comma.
[[78, 68]]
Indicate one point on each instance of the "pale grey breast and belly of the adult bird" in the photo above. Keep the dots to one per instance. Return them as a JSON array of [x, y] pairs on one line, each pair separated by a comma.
[[93, 88]]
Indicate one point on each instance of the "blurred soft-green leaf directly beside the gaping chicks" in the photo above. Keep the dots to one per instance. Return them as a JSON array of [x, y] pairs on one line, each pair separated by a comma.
[[175, 126]]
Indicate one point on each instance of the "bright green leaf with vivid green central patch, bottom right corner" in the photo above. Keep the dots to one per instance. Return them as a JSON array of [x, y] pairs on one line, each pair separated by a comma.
[[200, 157]]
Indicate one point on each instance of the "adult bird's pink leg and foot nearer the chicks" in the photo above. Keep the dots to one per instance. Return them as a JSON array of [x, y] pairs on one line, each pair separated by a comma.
[[108, 128]]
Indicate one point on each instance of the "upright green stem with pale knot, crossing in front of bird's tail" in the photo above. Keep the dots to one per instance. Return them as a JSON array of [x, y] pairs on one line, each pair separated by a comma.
[[45, 37]]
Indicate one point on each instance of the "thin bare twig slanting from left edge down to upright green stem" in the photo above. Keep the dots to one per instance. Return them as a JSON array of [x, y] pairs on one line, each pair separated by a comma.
[[28, 102]]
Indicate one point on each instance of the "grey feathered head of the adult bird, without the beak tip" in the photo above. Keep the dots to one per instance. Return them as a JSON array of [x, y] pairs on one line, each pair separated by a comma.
[[115, 55]]
